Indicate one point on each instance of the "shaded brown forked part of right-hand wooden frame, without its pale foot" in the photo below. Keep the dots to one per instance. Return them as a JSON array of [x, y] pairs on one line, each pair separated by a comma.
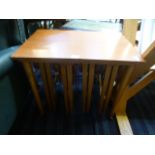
[[125, 91]]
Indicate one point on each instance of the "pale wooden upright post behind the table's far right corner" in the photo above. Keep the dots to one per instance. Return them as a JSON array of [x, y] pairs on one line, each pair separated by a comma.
[[130, 27]]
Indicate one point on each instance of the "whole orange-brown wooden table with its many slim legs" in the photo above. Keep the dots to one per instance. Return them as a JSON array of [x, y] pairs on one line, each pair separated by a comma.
[[66, 48]]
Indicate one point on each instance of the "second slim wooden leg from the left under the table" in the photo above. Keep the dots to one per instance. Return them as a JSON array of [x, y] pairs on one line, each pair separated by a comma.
[[45, 82]]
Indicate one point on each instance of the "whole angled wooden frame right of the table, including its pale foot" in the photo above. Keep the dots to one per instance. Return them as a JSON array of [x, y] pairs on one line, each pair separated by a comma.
[[141, 76]]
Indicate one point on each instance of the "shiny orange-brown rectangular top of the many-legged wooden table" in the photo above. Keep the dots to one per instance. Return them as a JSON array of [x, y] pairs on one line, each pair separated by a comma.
[[72, 46]]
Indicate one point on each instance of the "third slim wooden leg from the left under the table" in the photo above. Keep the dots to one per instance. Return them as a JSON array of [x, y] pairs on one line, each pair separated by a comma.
[[50, 82]]
